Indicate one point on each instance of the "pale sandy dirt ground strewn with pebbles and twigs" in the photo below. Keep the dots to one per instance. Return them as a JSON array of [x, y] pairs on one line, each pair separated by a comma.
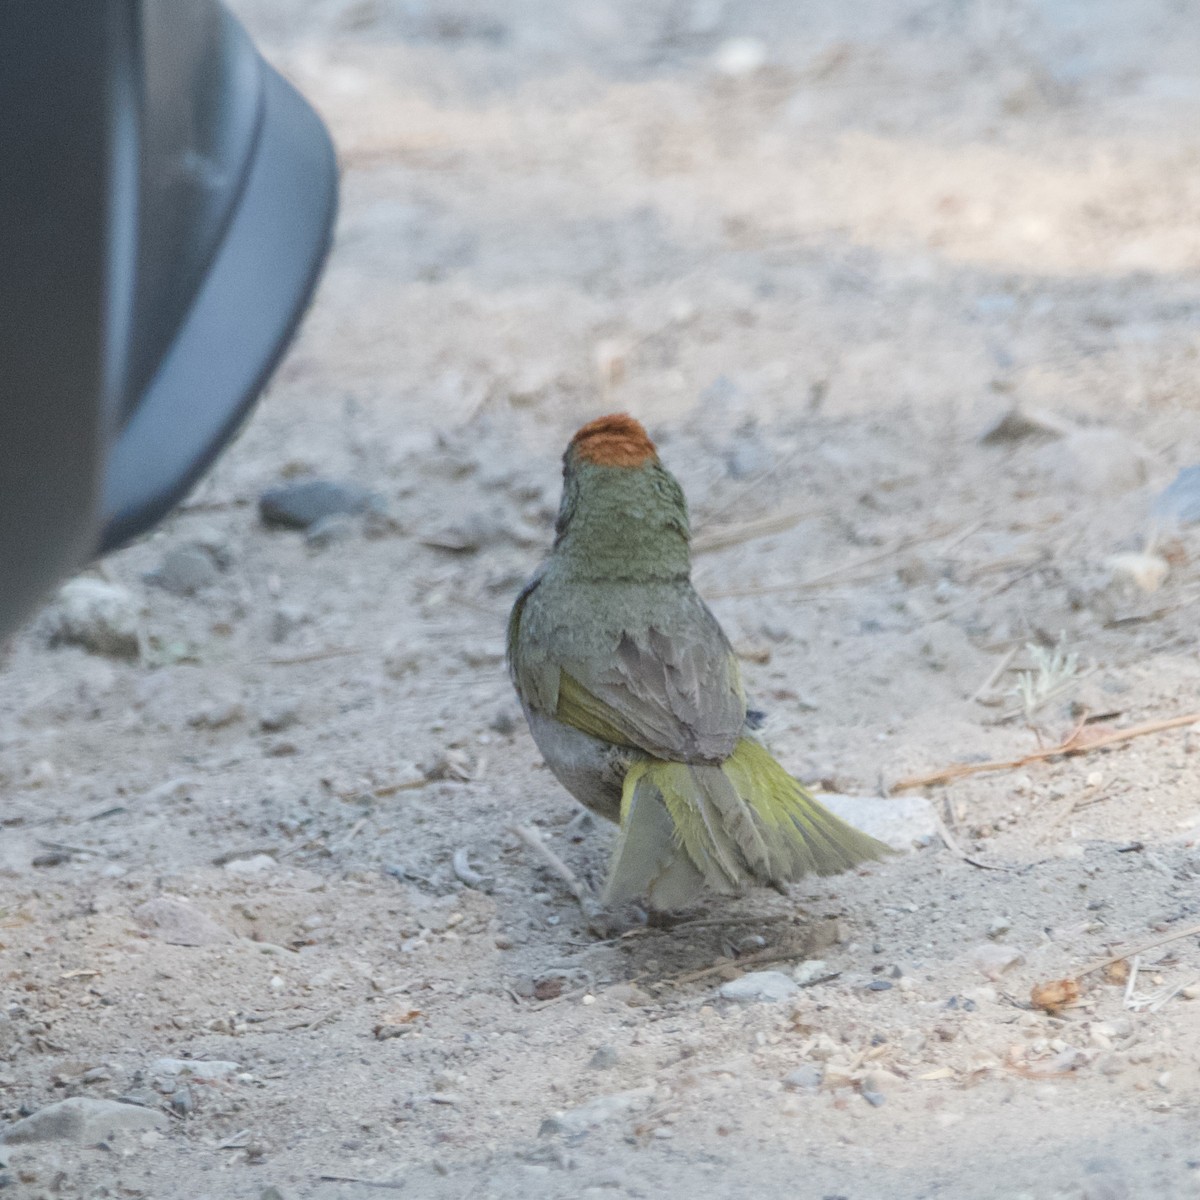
[[820, 249]]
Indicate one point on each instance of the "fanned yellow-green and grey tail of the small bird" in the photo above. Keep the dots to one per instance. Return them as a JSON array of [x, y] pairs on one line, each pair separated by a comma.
[[747, 821]]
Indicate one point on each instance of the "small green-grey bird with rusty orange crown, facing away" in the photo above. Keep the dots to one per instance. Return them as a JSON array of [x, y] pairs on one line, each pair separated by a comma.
[[634, 698]]
